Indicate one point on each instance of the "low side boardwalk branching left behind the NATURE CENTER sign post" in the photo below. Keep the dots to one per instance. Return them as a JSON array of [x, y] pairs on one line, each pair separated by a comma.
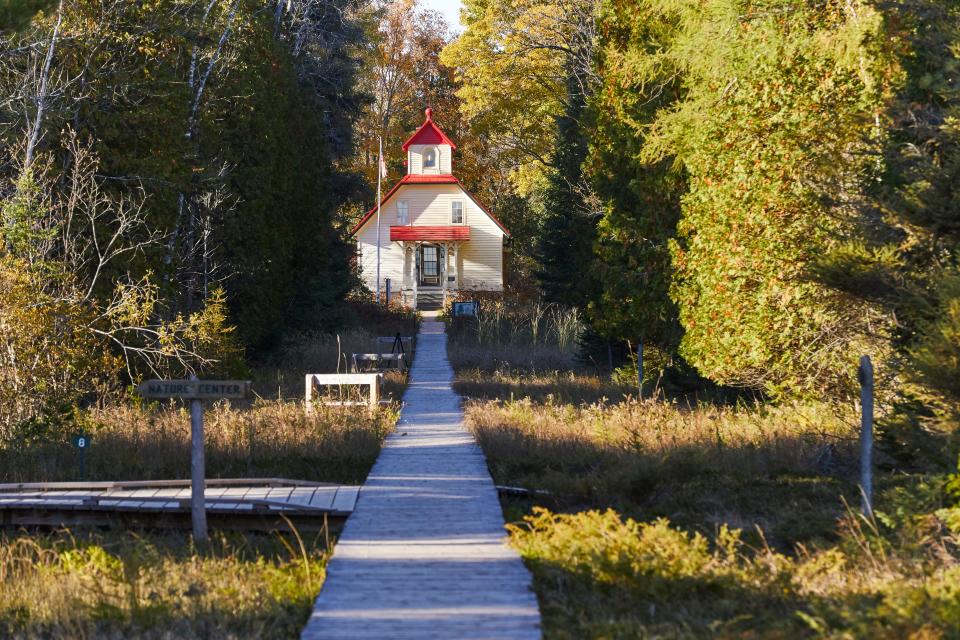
[[68, 503]]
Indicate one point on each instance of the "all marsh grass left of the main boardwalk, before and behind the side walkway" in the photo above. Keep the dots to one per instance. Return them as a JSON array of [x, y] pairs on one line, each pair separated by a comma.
[[154, 584]]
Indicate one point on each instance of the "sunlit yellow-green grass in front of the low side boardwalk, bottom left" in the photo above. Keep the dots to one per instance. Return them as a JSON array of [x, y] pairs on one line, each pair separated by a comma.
[[82, 585]]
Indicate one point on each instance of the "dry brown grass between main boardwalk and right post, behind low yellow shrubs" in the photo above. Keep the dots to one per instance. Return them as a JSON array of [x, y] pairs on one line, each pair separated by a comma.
[[782, 468]]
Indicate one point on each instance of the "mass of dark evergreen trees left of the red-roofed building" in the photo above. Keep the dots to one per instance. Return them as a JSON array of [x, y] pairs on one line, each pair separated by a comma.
[[214, 113]]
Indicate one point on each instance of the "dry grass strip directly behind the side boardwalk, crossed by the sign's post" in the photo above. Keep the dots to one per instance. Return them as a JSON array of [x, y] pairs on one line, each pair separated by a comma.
[[268, 439]]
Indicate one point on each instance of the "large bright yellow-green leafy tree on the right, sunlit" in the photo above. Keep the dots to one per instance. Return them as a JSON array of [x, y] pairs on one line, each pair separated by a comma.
[[771, 186]]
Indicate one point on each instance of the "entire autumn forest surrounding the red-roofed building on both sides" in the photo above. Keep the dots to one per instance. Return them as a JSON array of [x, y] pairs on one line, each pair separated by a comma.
[[756, 192]]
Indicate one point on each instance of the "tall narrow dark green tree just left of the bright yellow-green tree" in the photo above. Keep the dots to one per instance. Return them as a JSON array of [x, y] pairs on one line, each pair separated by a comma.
[[639, 199]]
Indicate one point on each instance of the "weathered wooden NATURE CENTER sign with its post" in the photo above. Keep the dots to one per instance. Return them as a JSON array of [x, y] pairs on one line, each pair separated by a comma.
[[195, 391]]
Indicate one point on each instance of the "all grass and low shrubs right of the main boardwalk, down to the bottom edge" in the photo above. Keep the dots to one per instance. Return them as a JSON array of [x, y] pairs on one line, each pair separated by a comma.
[[712, 521]]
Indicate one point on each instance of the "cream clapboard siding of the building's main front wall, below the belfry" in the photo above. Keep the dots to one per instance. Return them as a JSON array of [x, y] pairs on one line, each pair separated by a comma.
[[480, 260]]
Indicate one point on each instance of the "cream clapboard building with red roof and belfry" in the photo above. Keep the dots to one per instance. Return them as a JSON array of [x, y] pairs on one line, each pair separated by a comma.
[[435, 237]]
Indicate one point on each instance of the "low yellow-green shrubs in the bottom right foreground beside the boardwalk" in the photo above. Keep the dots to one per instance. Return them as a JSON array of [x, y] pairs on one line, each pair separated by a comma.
[[600, 575]]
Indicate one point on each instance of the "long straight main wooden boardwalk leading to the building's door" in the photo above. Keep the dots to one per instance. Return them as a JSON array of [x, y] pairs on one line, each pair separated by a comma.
[[423, 555]]
